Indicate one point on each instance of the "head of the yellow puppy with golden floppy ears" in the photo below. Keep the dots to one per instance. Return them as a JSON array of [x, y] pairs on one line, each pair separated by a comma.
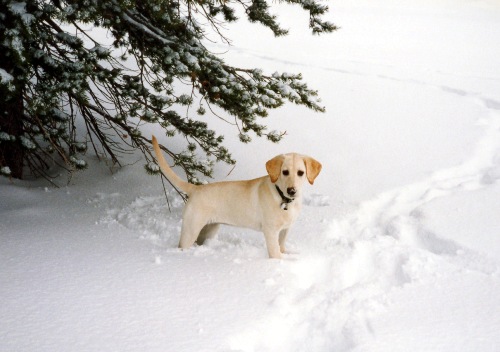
[[288, 172]]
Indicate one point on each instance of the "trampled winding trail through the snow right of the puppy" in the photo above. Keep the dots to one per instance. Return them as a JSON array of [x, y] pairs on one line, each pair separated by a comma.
[[346, 276]]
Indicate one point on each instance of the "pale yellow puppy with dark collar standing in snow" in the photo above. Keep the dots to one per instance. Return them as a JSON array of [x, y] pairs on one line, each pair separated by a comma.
[[269, 204]]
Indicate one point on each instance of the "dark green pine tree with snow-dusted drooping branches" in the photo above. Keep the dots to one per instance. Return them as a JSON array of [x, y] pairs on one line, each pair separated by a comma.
[[54, 74]]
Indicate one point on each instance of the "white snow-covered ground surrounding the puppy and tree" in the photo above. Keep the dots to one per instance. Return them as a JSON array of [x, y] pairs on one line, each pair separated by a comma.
[[398, 244]]
